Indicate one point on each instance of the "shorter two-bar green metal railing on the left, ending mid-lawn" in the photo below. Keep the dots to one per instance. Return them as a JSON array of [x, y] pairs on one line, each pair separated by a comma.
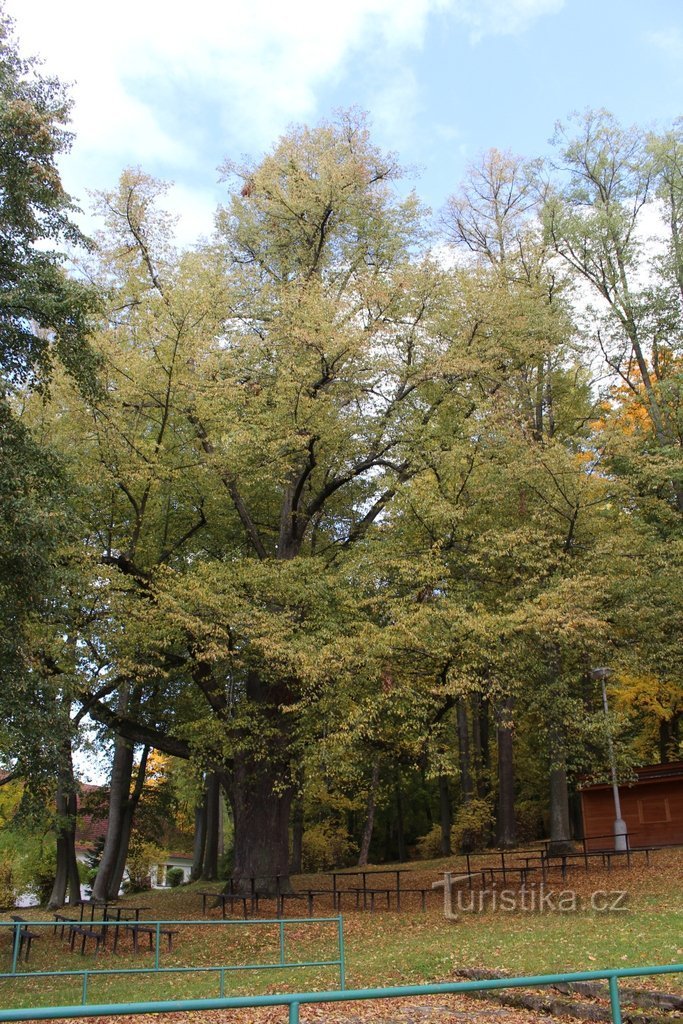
[[159, 927]]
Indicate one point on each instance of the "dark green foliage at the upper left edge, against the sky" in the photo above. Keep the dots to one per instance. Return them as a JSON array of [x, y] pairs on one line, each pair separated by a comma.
[[42, 312]]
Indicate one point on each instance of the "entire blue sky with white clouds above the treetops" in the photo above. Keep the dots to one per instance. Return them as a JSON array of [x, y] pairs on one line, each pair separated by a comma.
[[179, 88]]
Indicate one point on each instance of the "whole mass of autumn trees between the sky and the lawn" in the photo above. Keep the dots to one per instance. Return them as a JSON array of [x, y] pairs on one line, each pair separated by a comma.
[[339, 510]]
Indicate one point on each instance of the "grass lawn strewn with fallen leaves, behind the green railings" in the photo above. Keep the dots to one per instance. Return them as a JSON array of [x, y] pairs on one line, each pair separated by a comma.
[[389, 948]]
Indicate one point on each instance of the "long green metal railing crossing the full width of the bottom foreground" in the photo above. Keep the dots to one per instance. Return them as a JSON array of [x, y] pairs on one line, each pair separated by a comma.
[[296, 1000]]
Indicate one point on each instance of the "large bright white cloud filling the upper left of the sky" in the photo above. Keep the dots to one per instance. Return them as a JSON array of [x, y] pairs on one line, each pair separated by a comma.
[[156, 82]]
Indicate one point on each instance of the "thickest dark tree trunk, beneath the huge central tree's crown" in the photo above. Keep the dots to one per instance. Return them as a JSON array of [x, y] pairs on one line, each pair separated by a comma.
[[262, 807]]
